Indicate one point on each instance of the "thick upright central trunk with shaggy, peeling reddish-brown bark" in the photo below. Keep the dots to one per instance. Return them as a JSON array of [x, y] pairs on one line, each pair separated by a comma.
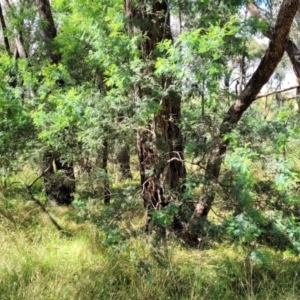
[[160, 147]]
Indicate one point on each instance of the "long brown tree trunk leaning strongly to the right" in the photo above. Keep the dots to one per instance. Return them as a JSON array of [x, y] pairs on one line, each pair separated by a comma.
[[261, 76]]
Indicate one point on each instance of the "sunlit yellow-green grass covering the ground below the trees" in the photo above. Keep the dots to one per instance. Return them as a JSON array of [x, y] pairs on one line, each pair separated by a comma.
[[38, 262]]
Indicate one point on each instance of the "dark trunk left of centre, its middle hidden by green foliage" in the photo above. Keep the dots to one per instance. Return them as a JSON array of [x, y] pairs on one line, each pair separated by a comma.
[[59, 179]]
